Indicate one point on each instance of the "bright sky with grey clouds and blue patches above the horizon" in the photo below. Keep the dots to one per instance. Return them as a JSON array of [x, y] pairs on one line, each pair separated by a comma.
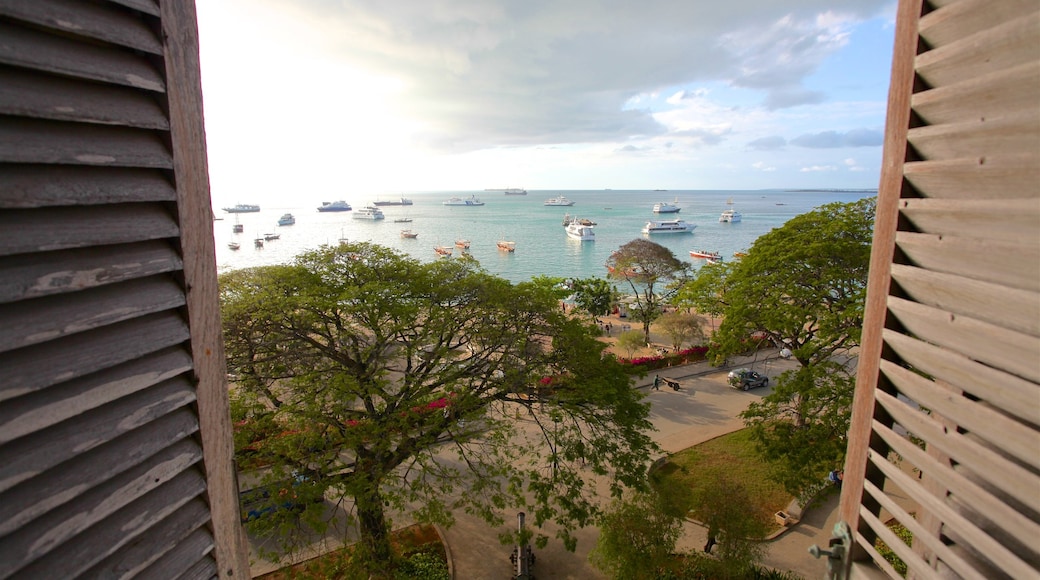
[[340, 99]]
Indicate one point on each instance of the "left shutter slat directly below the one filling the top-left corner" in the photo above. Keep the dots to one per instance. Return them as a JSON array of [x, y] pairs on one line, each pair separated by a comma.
[[35, 49]]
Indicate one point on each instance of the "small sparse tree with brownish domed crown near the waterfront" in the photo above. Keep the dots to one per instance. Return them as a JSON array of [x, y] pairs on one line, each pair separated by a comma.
[[644, 266]]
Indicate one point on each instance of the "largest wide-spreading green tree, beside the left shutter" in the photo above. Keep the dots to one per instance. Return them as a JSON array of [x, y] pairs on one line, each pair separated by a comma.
[[396, 385]]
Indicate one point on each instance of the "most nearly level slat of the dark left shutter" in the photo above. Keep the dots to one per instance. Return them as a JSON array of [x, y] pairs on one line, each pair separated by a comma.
[[22, 187]]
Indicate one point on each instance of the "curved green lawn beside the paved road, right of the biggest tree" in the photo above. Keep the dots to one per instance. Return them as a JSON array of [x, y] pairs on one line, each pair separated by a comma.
[[733, 457]]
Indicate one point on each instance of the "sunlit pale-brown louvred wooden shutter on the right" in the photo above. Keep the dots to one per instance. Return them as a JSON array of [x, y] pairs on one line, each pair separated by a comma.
[[952, 338]]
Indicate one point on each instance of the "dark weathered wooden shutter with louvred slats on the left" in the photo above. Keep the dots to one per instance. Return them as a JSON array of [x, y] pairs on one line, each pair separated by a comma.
[[116, 456]]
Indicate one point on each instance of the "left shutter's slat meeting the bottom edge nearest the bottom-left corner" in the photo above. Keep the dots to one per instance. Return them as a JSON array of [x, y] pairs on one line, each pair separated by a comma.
[[83, 552]]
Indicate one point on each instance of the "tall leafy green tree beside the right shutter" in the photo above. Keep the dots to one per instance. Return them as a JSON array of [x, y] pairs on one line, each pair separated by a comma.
[[801, 287]]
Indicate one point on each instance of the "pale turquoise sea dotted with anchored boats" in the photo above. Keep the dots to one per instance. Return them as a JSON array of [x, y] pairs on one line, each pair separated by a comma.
[[542, 246]]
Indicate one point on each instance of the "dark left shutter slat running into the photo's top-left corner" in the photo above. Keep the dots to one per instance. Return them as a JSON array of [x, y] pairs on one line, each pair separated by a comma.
[[93, 20]]
